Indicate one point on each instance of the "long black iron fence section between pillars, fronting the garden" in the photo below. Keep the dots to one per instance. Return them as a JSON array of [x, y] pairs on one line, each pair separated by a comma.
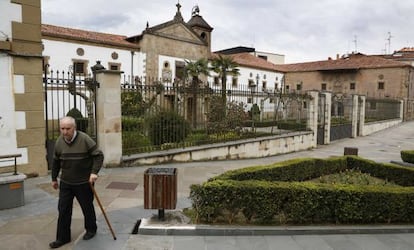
[[159, 116]]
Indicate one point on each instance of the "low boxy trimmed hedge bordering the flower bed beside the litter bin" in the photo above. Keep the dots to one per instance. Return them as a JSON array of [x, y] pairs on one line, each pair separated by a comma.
[[280, 193]]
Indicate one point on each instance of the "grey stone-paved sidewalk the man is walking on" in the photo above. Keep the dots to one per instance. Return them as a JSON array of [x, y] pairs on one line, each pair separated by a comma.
[[121, 192]]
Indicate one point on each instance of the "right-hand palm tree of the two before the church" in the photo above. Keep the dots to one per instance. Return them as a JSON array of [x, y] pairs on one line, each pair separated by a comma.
[[223, 66]]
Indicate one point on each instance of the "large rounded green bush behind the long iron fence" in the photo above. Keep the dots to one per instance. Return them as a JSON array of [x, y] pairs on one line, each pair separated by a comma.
[[167, 127]]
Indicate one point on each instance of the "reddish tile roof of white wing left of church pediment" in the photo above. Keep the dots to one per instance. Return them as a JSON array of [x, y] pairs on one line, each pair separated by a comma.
[[86, 36]]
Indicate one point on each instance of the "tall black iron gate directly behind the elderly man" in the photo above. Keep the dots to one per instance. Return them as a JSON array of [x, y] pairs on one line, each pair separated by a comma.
[[68, 93]]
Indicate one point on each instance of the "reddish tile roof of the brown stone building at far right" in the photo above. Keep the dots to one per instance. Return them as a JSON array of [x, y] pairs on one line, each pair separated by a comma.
[[352, 62]]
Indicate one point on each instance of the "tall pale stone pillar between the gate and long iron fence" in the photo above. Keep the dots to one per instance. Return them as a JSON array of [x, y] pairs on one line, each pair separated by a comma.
[[108, 114]]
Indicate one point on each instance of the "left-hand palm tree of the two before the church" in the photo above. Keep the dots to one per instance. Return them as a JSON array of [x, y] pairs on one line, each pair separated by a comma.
[[195, 69]]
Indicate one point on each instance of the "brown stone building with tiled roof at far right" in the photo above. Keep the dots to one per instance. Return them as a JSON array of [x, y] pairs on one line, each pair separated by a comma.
[[372, 76]]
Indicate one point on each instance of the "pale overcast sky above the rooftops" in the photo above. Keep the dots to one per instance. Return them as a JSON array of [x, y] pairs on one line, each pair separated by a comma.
[[302, 30]]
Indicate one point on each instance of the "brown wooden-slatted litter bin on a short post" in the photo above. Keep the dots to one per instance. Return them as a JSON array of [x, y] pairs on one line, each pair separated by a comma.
[[160, 189]]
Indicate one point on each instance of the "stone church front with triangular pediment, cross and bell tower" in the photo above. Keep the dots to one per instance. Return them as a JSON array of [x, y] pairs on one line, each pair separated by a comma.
[[167, 45]]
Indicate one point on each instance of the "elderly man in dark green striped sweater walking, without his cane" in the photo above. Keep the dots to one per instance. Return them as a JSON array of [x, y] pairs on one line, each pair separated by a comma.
[[78, 161]]
